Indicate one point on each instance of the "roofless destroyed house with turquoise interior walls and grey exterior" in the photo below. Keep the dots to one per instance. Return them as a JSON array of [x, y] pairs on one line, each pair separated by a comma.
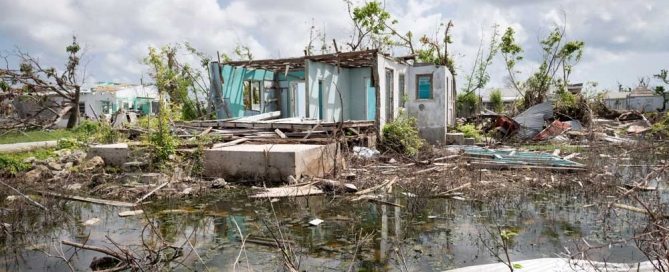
[[348, 86]]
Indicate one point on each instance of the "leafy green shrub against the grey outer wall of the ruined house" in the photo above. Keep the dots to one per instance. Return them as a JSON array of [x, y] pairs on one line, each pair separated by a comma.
[[402, 136]]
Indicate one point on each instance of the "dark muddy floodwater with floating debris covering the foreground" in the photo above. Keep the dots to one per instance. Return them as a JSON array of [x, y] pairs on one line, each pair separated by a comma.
[[421, 235]]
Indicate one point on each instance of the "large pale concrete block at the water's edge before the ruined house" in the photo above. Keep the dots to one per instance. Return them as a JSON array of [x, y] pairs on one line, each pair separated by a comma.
[[271, 162]]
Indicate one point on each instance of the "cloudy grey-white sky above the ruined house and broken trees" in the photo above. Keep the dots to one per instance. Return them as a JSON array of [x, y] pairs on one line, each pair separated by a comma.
[[624, 39]]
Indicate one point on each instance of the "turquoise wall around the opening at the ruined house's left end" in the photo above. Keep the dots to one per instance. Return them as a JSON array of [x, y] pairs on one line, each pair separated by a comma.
[[233, 87]]
